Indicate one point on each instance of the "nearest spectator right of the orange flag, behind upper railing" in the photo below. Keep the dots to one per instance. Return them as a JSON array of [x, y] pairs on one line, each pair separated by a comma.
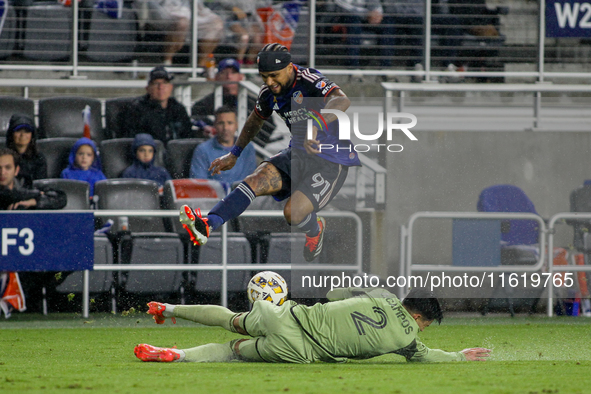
[[353, 14]]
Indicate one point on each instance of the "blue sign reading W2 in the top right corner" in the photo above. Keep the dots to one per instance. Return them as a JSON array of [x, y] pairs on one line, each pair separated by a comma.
[[568, 18]]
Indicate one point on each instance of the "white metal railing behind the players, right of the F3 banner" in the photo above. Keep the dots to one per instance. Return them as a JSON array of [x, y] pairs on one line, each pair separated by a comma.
[[224, 267]]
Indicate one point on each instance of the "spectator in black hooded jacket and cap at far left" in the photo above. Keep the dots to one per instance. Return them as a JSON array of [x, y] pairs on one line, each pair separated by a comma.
[[21, 137]]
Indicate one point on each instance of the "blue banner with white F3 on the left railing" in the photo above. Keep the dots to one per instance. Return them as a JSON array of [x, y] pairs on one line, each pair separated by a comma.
[[46, 241]]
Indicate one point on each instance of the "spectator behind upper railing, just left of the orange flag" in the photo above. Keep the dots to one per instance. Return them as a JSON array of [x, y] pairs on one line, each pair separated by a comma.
[[242, 19]]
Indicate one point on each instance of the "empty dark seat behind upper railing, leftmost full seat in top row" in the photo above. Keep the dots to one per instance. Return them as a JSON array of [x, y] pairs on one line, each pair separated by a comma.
[[48, 32]]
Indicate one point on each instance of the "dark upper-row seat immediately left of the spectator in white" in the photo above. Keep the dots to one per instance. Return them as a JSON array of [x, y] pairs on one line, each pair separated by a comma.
[[112, 39]]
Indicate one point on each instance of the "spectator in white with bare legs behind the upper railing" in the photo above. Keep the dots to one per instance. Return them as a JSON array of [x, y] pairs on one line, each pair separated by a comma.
[[173, 17]]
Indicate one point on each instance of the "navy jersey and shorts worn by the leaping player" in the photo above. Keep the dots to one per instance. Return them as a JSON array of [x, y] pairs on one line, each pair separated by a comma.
[[319, 176]]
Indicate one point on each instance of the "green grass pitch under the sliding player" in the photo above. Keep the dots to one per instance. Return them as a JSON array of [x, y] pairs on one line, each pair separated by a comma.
[[65, 353]]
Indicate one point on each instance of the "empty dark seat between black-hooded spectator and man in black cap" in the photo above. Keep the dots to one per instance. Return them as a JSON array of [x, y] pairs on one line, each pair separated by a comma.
[[62, 117]]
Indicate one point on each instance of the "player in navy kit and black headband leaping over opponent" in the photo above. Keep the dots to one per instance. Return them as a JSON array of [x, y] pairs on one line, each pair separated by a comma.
[[306, 175]]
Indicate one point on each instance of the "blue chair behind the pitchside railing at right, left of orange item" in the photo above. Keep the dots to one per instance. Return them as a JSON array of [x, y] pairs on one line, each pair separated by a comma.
[[519, 238]]
